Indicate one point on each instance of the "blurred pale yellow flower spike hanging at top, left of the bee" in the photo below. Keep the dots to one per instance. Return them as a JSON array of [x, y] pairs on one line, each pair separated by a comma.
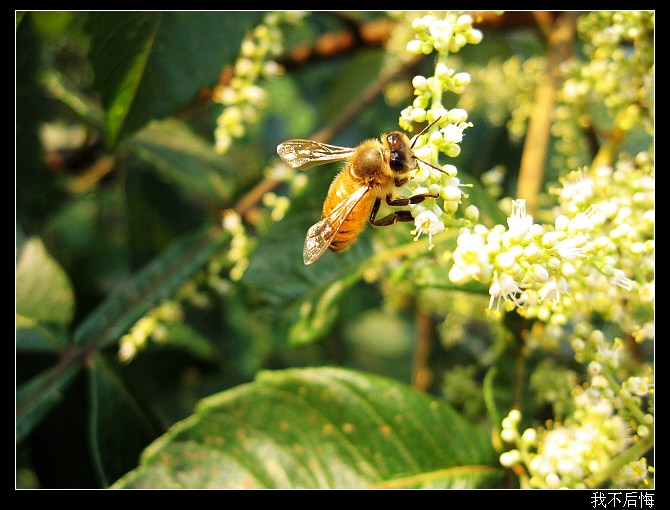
[[242, 97]]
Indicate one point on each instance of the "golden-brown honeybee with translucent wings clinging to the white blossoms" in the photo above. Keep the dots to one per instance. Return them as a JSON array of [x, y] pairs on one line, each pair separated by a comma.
[[371, 172]]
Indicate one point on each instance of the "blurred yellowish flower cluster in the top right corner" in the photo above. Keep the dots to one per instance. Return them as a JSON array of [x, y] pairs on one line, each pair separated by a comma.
[[617, 73]]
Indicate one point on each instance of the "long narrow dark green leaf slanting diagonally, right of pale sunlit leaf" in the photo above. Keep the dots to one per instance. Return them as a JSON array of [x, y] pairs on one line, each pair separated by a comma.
[[159, 280]]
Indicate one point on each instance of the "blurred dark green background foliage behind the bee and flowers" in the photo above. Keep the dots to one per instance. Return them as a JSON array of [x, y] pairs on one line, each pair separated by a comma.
[[120, 196]]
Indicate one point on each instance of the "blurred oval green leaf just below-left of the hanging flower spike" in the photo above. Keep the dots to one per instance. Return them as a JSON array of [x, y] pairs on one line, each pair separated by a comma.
[[185, 159]]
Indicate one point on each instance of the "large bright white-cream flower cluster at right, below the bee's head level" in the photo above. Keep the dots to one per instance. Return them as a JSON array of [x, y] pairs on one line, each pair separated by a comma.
[[580, 264]]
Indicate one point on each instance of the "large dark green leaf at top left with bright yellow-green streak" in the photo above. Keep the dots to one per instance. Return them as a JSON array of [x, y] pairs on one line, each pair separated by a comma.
[[150, 64]]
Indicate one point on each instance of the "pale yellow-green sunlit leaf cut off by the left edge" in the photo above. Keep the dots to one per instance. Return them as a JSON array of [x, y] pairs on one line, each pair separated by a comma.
[[43, 291]]
